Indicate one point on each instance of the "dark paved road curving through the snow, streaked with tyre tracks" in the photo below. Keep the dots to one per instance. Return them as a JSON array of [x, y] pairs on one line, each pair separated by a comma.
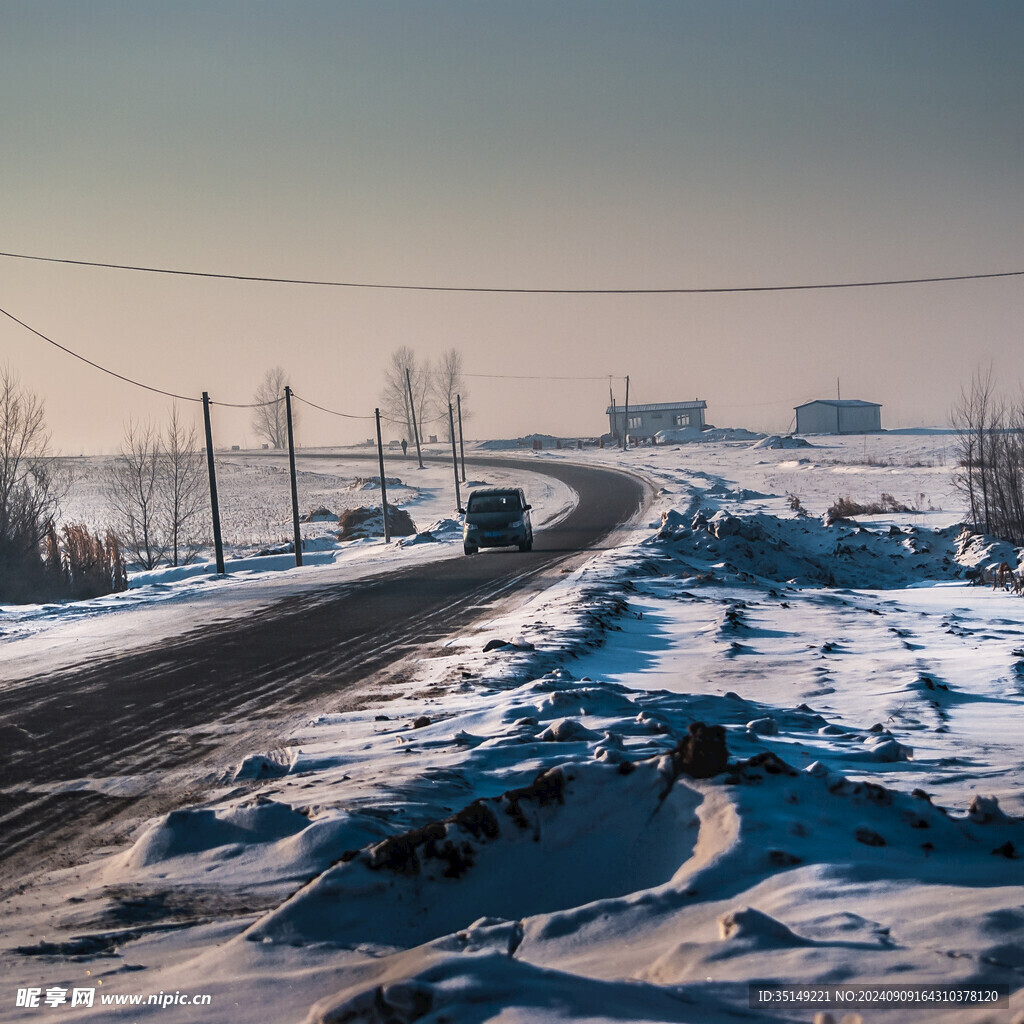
[[125, 715]]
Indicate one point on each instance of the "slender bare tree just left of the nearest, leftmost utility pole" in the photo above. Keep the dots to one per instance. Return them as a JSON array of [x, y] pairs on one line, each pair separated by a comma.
[[183, 496]]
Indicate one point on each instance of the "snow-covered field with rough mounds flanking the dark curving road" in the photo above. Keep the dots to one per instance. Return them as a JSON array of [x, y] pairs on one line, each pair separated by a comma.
[[518, 834]]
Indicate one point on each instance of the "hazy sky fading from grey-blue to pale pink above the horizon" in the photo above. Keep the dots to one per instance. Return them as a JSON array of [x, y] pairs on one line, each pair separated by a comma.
[[549, 145]]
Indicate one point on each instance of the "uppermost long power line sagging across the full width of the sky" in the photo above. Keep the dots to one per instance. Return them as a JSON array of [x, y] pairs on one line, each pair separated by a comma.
[[523, 291]]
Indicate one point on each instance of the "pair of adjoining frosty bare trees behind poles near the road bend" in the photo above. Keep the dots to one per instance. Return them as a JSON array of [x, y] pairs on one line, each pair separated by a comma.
[[434, 387]]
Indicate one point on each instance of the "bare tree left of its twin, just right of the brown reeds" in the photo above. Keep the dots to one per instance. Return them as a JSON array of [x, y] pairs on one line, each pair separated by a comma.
[[136, 494]]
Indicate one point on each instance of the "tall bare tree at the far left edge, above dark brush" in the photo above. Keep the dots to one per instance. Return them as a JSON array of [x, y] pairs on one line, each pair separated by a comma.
[[30, 492]]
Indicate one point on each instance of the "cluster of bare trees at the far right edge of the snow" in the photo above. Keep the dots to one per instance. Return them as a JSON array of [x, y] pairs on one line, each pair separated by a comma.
[[991, 459]]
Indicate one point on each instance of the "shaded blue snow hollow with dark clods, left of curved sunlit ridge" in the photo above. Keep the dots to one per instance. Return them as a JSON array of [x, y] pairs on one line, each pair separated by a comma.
[[508, 857]]
